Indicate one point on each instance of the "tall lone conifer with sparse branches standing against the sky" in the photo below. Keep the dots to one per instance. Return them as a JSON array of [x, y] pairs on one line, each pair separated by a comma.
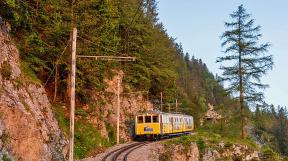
[[247, 60]]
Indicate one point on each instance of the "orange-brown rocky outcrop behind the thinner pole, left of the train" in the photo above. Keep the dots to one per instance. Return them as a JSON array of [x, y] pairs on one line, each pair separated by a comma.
[[130, 105]]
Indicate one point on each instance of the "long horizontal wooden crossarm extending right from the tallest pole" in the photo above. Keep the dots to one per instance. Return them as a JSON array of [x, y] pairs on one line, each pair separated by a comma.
[[108, 58]]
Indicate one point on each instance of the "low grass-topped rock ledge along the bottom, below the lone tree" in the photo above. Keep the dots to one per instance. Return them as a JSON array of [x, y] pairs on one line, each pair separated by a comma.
[[208, 151]]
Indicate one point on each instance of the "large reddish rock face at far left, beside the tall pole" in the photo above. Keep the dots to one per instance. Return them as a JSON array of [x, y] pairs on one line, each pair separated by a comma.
[[28, 130]]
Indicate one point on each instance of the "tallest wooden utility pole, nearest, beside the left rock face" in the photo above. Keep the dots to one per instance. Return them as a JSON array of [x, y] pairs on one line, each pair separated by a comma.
[[72, 97]]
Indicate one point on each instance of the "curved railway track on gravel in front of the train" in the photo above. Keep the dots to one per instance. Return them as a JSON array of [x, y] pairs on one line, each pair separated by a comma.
[[126, 150]]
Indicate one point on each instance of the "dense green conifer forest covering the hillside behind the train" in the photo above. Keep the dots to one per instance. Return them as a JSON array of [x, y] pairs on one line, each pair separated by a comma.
[[42, 32]]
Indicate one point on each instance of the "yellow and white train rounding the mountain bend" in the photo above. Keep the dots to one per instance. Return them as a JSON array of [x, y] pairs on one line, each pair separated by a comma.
[[159, 124]]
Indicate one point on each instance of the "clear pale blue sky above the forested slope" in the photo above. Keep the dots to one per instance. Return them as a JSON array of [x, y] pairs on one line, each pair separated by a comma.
[[199, 24]]
